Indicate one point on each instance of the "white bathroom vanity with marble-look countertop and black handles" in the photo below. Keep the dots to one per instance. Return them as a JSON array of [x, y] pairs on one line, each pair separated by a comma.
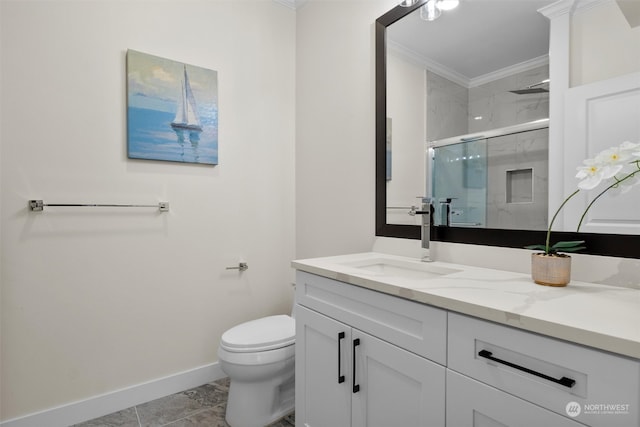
[[383, 340]]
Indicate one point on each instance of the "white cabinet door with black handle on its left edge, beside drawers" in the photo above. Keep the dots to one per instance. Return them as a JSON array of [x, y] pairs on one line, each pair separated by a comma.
[[395, 387]]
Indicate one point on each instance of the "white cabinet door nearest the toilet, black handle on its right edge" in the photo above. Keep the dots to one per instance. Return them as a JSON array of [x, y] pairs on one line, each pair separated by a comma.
[[323, 385]]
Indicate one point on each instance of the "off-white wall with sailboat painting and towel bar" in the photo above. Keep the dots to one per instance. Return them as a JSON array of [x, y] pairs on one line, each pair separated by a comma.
[[96, 300]]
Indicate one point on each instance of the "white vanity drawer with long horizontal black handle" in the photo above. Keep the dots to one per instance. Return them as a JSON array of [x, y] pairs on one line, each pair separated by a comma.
[[602, 388]]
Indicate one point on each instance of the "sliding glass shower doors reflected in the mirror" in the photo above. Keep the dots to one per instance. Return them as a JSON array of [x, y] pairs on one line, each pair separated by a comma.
[[494, 182]]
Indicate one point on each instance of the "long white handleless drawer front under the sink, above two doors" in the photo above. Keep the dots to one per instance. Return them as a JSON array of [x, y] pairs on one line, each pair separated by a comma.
[[415, 327]]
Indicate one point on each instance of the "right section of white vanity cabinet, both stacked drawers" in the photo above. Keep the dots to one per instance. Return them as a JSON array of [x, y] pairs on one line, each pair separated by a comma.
[[498, 373]]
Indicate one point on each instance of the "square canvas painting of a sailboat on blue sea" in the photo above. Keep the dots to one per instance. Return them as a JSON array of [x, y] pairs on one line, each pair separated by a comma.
[[172, 110]]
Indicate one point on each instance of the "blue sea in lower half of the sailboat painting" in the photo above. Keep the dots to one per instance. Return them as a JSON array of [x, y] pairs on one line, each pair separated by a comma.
[[151, 136]]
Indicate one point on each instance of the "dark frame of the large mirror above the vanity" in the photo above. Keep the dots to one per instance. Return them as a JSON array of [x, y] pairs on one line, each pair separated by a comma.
[[616, 245]]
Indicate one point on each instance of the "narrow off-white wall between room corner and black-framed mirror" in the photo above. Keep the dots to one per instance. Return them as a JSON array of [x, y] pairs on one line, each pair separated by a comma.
[[335, 135]]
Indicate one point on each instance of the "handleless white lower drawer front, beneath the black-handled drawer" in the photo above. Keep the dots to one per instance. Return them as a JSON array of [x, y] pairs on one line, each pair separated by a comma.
[[473, 404]]
